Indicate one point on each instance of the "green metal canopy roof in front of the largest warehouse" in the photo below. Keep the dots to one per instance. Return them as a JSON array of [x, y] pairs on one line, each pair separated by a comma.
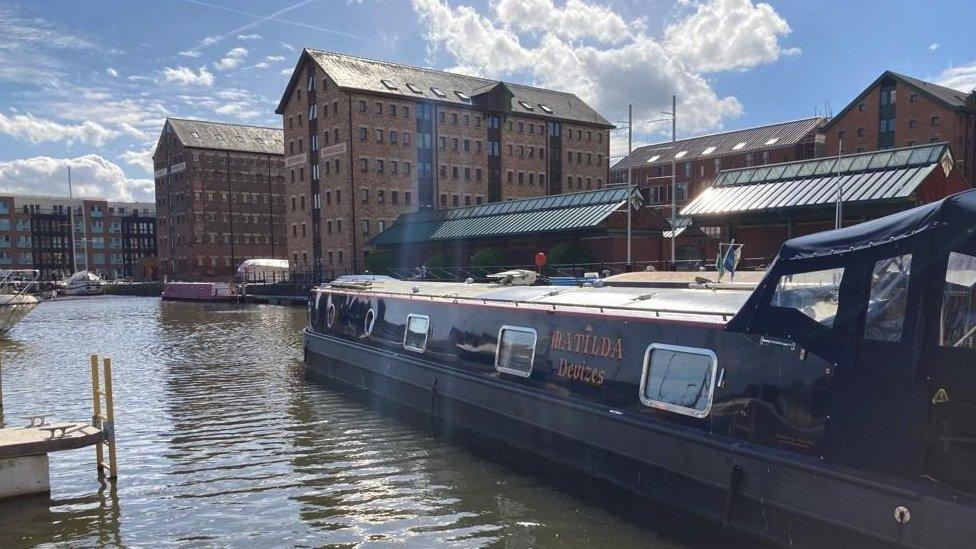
[[573, 211]]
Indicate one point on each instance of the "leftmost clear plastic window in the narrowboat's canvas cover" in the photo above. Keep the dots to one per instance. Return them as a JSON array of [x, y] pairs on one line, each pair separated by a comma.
[[815, 294]]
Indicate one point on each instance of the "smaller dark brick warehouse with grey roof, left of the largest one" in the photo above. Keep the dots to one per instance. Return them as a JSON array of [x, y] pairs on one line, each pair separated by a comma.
[[219, 197]]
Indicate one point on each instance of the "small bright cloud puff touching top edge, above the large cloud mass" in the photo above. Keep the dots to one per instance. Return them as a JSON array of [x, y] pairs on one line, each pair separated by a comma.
[[574, 20]]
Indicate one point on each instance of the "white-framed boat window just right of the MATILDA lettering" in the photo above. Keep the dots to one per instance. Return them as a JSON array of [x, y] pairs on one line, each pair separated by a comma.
[[678, 379]]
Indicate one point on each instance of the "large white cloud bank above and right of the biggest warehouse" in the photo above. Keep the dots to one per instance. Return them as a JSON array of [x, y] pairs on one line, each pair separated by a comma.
[[605, 72]]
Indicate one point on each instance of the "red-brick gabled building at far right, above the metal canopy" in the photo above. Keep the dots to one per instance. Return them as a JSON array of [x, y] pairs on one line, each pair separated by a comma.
[[899, 111]]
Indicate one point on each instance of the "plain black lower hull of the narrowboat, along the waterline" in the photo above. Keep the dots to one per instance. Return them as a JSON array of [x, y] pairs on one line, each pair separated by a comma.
[[771, 494]]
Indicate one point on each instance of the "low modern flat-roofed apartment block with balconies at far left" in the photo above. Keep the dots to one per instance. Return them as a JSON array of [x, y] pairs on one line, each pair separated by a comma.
[[111, 239]]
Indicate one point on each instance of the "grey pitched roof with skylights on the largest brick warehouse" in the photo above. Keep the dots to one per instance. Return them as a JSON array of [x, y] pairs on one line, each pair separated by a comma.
[[382, 77]]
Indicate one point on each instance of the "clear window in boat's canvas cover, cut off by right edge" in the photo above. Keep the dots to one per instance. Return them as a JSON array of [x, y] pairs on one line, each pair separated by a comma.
[[958, 327]]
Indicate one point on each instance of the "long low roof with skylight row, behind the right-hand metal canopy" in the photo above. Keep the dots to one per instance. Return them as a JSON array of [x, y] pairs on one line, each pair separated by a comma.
[[719, 144]]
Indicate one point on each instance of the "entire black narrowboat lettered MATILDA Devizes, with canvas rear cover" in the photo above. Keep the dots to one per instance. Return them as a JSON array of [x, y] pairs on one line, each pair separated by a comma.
[[833, 403]]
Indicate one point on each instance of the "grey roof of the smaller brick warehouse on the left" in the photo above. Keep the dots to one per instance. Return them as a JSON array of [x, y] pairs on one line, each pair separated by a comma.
[[227, 137]]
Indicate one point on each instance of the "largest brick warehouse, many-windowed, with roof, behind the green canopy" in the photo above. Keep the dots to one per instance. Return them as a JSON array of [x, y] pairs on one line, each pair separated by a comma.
[[368, 140]]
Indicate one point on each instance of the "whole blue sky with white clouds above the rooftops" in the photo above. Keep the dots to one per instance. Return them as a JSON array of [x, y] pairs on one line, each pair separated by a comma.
[[88, 85]]
